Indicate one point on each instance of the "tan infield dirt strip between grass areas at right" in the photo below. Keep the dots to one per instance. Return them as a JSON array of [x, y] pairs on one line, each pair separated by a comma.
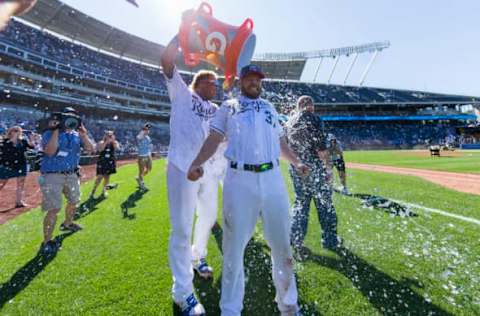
[[462, 182]]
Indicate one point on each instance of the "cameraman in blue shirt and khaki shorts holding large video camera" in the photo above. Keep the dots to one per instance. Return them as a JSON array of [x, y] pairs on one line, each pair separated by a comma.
[[60, 172]]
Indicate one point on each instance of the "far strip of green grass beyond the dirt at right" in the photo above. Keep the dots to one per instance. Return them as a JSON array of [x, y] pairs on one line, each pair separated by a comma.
[[466, 161]]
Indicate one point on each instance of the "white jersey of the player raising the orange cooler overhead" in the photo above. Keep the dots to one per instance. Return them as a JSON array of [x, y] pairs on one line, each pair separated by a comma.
[[189, 122]]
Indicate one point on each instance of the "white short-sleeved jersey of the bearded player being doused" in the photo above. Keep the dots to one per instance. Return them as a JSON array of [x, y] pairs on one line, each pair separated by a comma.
[[251, 128]]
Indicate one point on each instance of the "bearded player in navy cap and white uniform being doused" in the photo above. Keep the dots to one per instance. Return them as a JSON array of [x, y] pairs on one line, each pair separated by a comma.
[[253, 188]]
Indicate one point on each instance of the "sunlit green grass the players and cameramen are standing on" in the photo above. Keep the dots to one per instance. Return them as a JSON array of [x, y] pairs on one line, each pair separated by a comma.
[[118, 264]]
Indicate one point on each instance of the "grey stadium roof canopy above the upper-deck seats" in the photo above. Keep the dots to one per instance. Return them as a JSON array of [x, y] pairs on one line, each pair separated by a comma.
[[62, 19]]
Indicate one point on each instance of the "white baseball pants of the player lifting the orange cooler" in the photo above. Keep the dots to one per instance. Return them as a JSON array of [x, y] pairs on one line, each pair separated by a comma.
[[183, 197]]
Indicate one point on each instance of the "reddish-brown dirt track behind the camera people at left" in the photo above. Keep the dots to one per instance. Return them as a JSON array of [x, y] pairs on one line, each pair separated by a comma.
[[33, 196]]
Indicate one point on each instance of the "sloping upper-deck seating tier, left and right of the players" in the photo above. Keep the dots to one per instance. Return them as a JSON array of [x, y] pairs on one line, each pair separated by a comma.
[[24, 42]]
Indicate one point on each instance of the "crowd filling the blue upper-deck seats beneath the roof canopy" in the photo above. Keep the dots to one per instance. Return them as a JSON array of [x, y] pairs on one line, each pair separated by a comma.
[[277, 91]]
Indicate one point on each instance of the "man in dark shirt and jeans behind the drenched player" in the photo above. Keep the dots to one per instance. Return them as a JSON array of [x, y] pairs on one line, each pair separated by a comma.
[[307, 140]]
